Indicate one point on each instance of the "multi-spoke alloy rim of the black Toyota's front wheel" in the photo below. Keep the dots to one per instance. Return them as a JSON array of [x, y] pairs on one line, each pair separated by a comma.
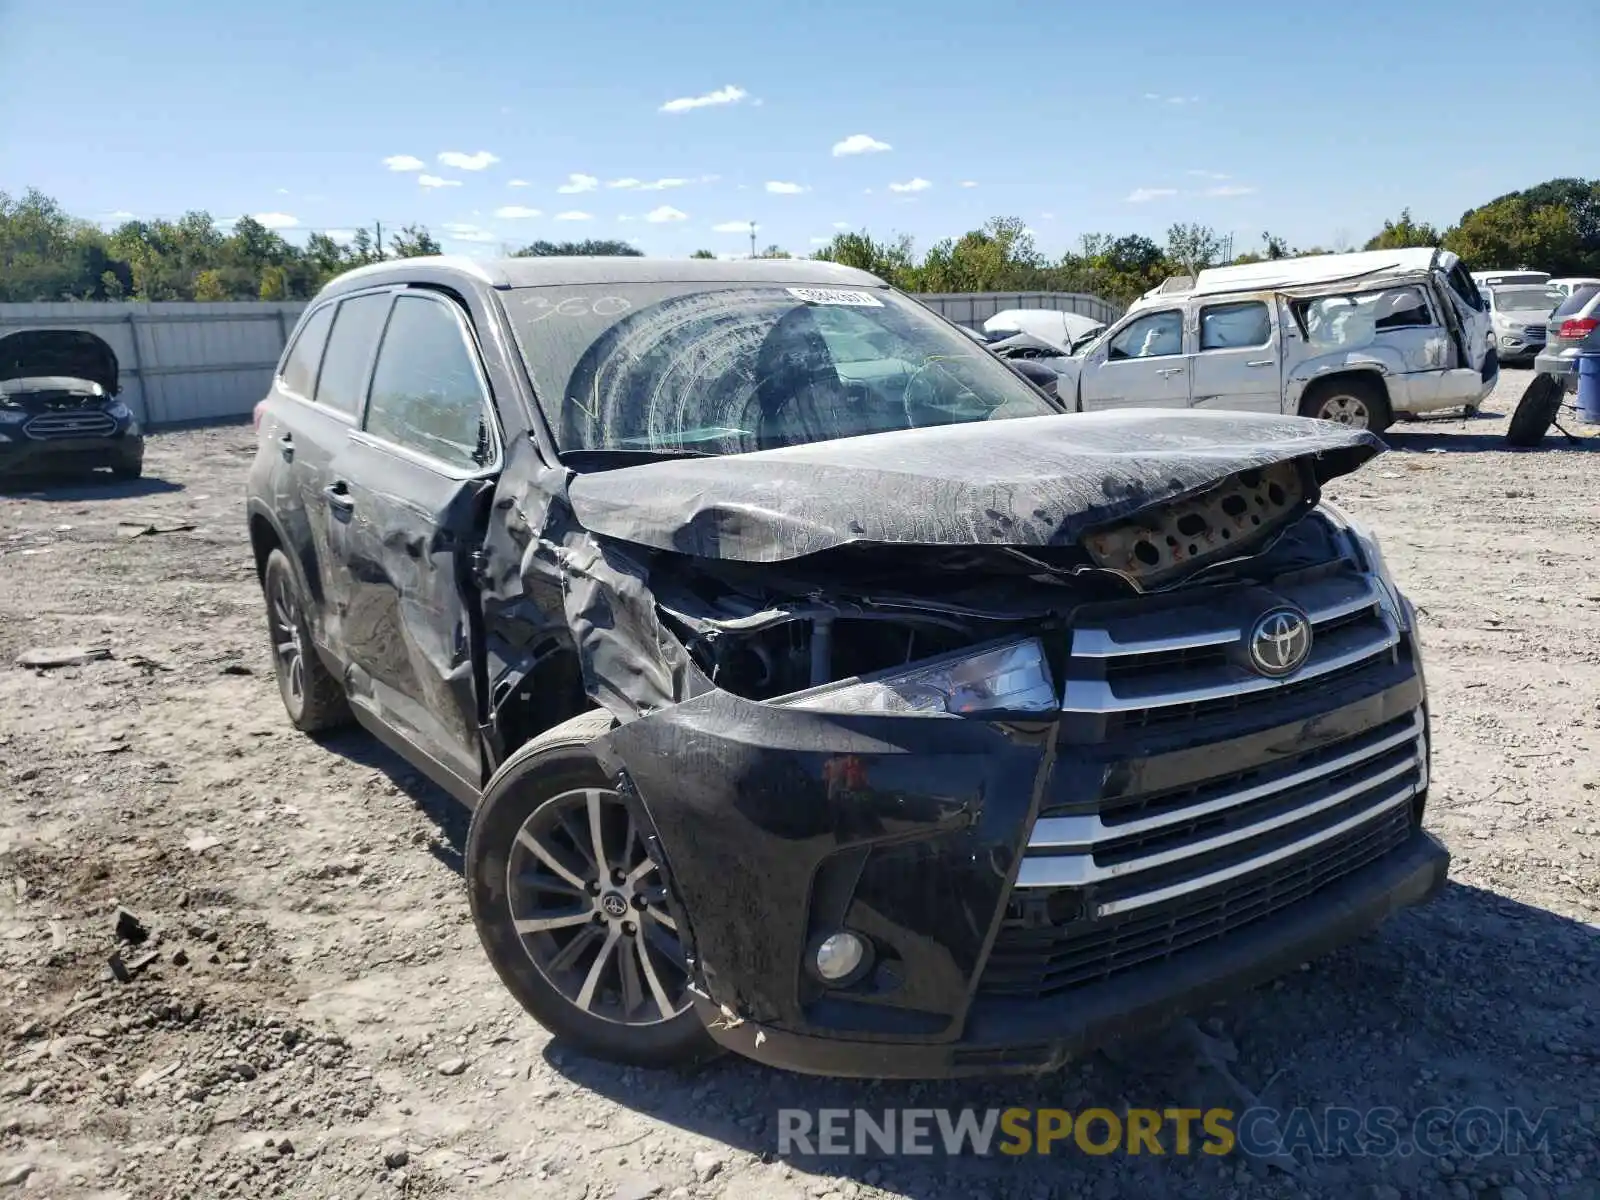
[[591, 910]]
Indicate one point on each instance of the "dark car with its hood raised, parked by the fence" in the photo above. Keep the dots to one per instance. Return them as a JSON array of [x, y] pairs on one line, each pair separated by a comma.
[[60, 409]]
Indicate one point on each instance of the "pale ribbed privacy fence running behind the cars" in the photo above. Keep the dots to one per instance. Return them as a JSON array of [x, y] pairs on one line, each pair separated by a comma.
[[193, 364]]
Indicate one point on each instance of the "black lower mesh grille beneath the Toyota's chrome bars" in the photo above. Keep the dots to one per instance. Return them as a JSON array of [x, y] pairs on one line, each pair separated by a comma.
[[1033, 961]]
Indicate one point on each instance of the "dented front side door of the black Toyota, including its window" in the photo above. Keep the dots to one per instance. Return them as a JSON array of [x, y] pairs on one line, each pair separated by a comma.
[[414, 487]]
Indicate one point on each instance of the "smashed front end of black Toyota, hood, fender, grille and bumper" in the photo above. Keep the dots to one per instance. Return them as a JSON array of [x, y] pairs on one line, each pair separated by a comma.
[[1009, 729]]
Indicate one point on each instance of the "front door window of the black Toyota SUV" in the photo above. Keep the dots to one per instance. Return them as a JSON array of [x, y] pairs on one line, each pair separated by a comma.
[[426, 393]]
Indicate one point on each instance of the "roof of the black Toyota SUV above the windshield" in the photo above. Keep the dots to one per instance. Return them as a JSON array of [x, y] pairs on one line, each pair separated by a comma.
[[542, 273]]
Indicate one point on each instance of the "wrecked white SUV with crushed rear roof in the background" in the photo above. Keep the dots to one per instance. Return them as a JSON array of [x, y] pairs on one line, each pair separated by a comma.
[[1351, 338]]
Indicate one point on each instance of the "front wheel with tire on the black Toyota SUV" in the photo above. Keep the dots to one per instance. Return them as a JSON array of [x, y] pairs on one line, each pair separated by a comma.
[[574, 910]]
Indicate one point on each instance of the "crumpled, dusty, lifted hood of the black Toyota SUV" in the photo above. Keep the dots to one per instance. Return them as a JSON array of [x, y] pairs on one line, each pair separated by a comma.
[[1038, 481]]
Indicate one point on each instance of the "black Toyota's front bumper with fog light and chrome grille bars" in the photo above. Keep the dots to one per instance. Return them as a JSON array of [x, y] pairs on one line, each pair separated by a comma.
[[1034, 887]]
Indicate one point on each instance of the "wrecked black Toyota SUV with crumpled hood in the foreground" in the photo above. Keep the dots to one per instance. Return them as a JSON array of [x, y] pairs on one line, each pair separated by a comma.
[[822, 690]]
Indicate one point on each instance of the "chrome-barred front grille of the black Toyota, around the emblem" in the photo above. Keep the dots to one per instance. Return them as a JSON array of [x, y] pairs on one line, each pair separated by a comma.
[[1209, 778]]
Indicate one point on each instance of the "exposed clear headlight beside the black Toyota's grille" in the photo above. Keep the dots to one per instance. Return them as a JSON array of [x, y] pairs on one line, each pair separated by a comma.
[[1002, 678]]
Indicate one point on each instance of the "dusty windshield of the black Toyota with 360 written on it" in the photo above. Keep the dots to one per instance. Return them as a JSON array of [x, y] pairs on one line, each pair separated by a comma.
[[730, 369]]
